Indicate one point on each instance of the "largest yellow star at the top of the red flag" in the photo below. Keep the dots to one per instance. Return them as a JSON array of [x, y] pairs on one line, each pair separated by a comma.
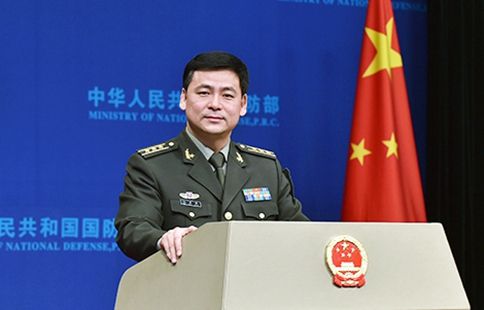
[[386, 57]]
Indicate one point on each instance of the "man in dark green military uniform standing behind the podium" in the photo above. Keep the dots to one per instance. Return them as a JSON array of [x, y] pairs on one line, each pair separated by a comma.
[[202, 176]]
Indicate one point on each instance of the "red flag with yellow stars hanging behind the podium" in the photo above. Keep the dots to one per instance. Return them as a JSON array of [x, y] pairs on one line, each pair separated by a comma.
[[382, 177]]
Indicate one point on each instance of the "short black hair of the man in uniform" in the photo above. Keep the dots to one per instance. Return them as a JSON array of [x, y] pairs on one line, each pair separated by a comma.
[[217, 61]]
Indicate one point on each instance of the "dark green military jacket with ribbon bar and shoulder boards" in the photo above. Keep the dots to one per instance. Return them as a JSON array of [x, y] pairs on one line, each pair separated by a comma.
[[172, 184]]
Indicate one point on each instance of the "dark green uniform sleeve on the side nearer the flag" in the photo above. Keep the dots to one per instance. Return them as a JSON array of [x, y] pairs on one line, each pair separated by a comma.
[[290, 208]]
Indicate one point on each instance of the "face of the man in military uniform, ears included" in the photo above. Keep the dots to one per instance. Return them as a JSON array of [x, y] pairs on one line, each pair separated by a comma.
[[213, 103]]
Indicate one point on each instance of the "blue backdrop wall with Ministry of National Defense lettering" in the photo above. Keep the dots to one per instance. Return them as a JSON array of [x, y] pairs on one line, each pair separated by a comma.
[[83, 84]]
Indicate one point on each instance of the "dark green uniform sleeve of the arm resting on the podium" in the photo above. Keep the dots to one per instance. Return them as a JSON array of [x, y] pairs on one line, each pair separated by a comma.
[[139, 219]]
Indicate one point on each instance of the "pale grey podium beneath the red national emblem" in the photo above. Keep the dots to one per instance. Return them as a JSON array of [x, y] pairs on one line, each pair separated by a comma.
[[281, 265]]
